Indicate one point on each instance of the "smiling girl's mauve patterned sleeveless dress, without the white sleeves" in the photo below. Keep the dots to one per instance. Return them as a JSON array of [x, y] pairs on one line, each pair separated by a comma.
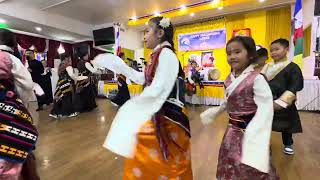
[[242, 107]]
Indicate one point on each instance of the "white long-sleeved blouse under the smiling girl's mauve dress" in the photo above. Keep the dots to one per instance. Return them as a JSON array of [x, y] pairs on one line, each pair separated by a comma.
[[256, 141]]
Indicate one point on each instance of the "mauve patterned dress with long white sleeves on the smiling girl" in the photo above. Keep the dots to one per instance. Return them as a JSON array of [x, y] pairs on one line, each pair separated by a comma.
[[245, 149]]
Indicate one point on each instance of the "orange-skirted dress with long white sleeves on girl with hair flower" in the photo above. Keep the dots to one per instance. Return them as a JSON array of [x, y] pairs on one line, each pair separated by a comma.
[[152, 129]]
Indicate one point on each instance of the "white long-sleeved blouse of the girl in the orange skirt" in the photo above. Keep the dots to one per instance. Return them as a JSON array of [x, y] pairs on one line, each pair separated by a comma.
[[121, 138]]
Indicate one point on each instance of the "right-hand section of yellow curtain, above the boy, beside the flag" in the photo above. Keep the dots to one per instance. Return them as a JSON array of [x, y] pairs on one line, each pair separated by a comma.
[[278, 24]]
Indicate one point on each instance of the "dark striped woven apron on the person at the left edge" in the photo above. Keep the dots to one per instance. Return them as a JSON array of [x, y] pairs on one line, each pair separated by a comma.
[[18, 135]]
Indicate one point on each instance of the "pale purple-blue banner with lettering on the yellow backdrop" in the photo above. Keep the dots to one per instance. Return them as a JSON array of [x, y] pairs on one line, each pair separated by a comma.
[[202, 40]]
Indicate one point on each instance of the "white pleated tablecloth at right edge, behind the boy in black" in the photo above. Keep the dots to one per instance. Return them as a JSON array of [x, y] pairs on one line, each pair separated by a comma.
[[308, 99]]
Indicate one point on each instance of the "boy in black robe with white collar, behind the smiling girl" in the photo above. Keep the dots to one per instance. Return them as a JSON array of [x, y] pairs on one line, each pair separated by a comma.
[[285, 80]]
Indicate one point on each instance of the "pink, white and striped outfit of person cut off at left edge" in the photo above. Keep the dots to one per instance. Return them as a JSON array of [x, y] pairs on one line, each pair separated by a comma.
[[18, 135]]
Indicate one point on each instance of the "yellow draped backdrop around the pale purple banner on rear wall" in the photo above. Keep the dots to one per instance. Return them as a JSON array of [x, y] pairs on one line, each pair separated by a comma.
[[265, 26]]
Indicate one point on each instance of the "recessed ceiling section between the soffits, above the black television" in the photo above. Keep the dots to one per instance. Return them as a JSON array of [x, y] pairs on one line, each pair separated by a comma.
[[104, 11]]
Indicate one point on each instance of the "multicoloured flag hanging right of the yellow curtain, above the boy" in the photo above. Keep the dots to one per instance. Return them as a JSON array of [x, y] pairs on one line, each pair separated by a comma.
[[298, 34]]
